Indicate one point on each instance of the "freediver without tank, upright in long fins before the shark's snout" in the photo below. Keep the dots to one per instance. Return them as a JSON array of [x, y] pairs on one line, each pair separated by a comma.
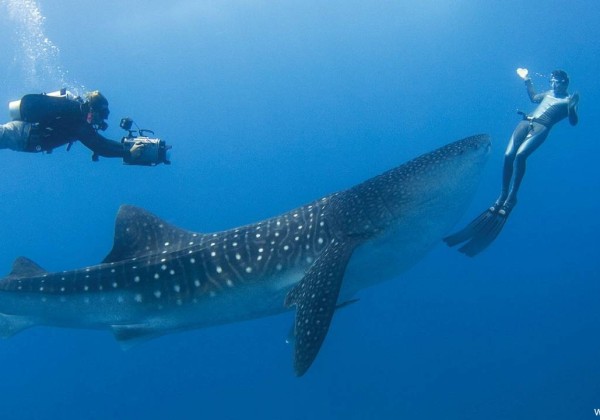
[[554, 105]]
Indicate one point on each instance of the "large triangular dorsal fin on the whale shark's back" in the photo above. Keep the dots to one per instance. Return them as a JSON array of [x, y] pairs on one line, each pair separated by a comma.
[[139, 233]]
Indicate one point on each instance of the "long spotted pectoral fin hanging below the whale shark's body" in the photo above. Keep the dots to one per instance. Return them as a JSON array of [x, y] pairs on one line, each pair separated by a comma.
[[315, 297]]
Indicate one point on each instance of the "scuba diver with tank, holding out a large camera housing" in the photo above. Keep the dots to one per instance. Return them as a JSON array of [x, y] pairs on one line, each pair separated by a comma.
[[43, 122]]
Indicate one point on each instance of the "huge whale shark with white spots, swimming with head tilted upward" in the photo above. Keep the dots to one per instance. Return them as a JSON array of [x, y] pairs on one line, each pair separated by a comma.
[[159, 278]]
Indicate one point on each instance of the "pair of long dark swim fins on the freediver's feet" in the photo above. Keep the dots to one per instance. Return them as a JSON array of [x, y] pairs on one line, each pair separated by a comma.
[[482, 231]]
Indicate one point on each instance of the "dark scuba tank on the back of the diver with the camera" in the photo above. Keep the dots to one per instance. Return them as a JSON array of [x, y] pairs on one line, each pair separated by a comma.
[[40, 107]]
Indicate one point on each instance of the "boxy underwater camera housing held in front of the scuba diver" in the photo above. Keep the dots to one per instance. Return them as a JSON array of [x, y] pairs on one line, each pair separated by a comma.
[[155, 150]]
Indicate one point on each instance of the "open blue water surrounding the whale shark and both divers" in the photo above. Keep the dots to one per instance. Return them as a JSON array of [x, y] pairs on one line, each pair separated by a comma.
[[270, 105]]
